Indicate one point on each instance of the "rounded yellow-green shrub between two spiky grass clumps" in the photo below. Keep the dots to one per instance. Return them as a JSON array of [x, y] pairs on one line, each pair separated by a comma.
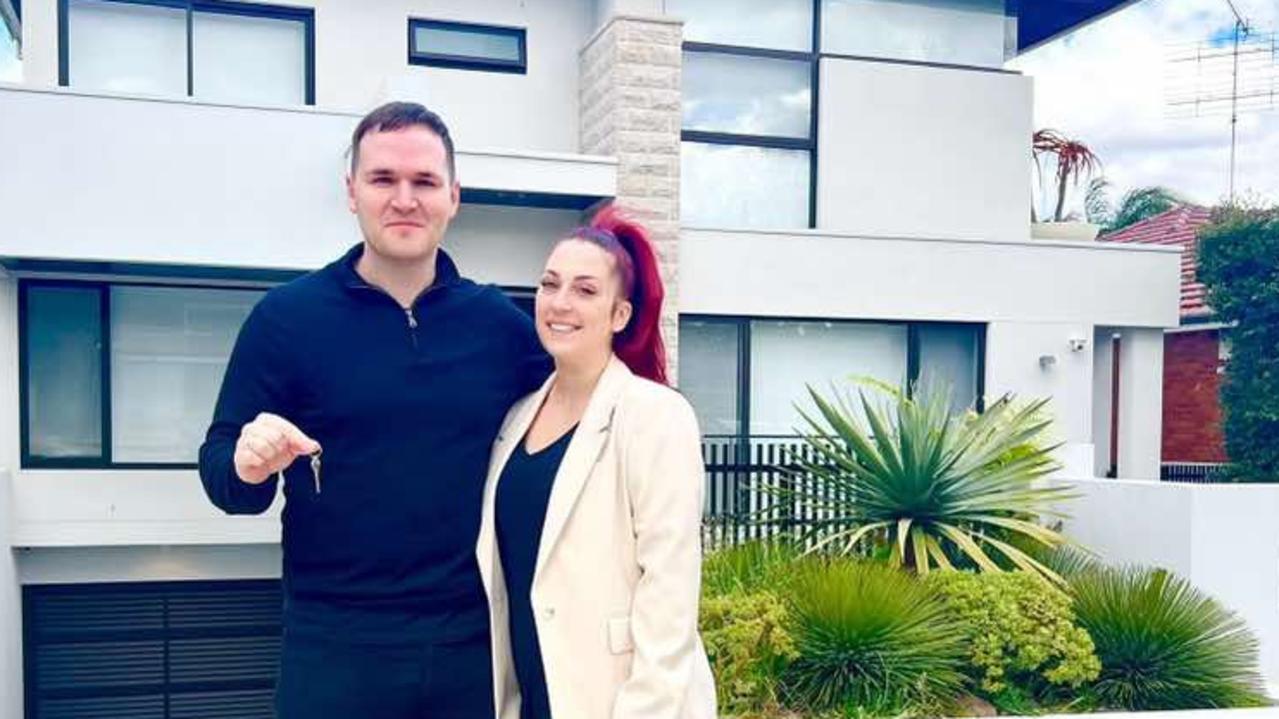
[[1021, 633]]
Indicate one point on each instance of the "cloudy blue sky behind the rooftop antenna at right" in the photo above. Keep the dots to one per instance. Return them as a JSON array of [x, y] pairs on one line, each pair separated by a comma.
[[1107, 85]]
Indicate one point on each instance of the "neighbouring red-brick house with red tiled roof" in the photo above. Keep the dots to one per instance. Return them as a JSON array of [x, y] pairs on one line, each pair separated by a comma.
[[1195, 351]]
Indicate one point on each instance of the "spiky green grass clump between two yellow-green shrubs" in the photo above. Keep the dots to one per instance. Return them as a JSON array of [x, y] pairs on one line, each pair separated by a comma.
[[872, 640]]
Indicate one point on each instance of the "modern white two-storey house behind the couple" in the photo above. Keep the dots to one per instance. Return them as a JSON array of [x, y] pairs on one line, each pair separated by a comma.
[[838, 187]]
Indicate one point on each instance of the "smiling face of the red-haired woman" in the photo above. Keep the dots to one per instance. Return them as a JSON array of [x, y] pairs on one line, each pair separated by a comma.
[[579, 305]]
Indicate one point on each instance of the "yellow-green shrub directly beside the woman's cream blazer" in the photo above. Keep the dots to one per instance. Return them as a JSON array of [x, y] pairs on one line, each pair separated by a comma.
[[749, 645]]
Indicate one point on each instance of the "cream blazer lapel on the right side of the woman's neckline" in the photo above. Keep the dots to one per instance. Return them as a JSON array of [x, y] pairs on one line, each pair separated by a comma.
[[584, 452]]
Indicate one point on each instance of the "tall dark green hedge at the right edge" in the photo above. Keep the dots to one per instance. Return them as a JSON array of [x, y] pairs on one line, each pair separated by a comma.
[[1239, 259]]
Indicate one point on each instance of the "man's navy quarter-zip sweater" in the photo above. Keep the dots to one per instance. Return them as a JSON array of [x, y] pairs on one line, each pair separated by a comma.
[[406, 406]]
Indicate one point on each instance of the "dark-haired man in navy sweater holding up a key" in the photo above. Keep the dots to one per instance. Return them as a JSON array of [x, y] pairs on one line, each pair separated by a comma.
[[377, 386]]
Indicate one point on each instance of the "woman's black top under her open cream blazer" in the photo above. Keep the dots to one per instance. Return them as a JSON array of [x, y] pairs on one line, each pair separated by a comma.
[[524, 492]]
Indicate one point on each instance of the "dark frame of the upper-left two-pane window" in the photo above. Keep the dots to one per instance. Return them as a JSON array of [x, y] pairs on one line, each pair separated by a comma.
[[305, 16]]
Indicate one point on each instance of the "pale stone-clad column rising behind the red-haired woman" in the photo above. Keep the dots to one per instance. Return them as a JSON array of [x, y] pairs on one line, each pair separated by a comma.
[[631, 111]]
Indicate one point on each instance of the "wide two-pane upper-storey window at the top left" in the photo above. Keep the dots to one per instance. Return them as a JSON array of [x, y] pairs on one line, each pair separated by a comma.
[[209, 51]]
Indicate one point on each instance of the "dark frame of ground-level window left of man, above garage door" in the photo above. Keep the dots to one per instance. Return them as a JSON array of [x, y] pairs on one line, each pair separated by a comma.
[[104, 461]]
